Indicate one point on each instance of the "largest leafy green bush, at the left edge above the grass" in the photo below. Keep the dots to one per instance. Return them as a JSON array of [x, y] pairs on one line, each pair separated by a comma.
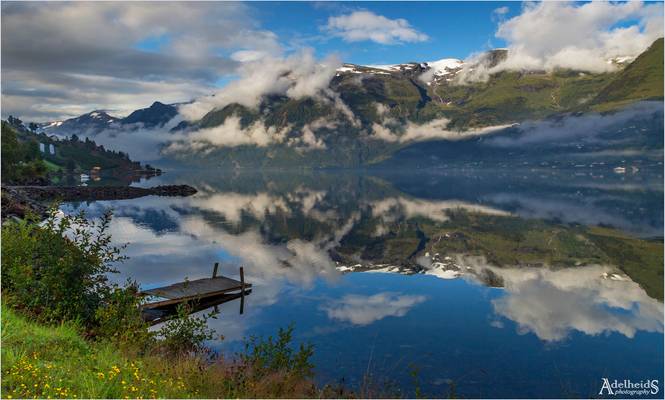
[[57, 270]]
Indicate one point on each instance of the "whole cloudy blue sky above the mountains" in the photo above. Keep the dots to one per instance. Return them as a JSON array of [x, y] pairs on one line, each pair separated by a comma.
[[61, 60]]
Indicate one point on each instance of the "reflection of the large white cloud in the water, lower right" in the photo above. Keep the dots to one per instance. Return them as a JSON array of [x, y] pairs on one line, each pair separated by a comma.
[[593, 300]]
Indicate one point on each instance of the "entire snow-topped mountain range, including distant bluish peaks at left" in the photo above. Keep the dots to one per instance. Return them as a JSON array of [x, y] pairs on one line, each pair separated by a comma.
[[370, 112]]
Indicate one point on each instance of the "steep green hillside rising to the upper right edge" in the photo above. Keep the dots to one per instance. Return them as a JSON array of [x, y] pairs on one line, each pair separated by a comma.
[[641, 80]]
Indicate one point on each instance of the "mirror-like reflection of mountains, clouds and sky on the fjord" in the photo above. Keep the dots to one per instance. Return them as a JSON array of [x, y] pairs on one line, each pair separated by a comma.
[[464, 265]]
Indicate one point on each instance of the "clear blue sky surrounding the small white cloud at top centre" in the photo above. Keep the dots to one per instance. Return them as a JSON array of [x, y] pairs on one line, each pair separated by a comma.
[[455, 29]]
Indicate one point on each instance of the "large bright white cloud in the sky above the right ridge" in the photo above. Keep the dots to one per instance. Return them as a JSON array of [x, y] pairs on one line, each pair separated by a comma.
[[550, 35]]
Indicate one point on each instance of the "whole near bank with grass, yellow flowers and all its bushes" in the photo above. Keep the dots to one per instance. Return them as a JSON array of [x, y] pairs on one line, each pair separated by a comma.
[[68, 333]]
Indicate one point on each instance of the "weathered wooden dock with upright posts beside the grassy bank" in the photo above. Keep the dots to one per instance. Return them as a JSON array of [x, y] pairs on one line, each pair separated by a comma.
[[199, 290]]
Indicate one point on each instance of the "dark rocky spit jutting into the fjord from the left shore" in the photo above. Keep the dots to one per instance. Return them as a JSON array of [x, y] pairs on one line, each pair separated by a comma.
[[18, 201]]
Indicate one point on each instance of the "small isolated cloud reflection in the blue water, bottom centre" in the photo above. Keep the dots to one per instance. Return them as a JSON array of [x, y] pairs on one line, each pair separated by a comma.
[[365, 310]]
